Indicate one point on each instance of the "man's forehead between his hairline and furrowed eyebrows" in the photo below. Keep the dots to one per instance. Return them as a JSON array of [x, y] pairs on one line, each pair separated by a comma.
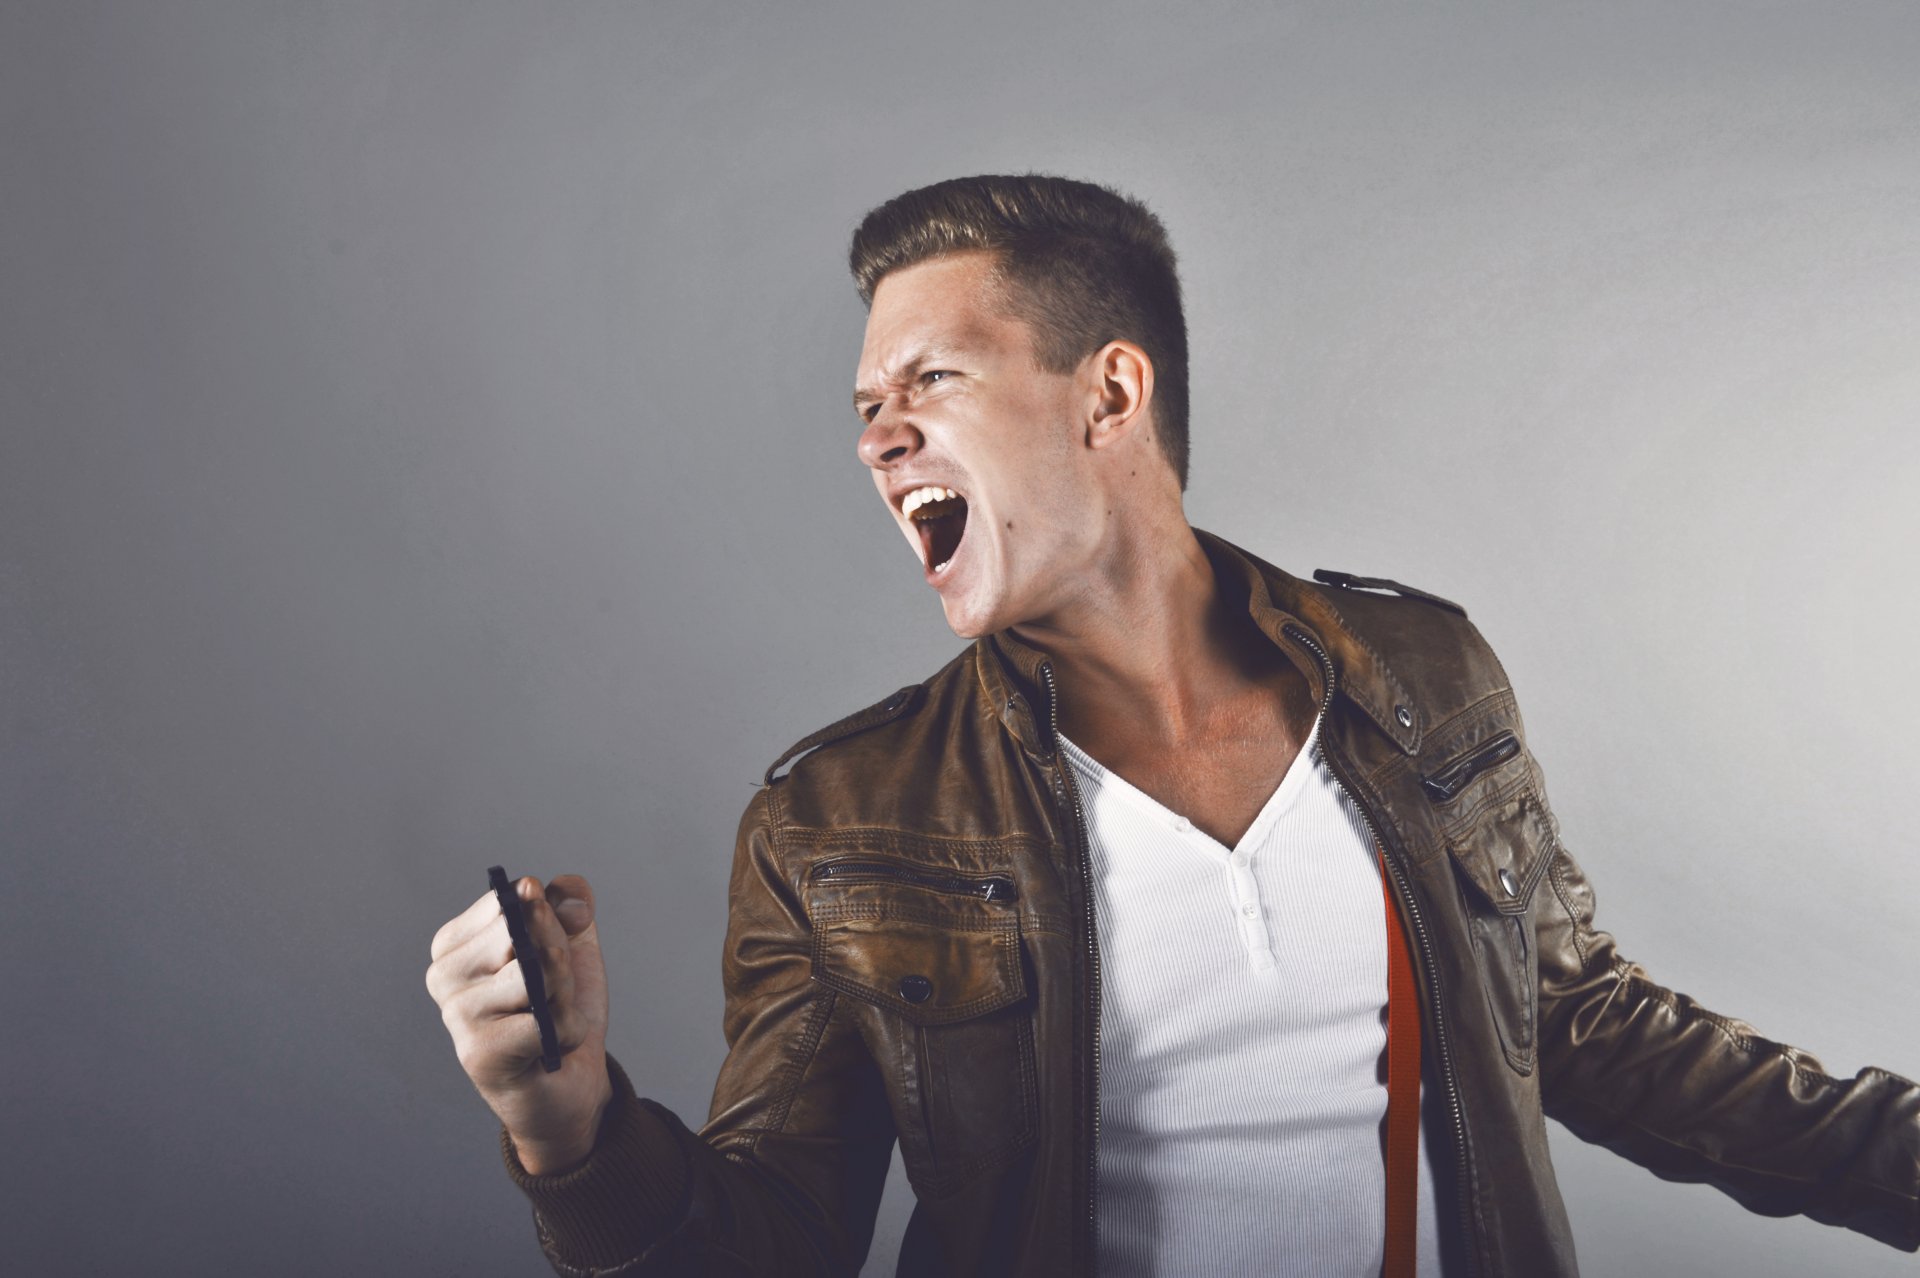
[[944, 306]]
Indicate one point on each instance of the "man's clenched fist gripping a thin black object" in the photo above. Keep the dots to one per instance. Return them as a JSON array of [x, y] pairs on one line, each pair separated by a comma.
[[485, 1006]]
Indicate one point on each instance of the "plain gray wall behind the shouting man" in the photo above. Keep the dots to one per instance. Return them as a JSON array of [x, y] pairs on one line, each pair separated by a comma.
[[427, 446]]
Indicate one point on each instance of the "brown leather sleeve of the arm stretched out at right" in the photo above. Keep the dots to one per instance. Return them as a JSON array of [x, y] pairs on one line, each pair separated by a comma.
[[1704, 1099]]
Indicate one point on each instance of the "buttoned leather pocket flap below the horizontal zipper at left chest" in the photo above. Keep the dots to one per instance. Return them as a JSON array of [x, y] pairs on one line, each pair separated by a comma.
[[926, 972]]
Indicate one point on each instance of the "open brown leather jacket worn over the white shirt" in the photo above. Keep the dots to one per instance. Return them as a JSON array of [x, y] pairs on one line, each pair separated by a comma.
[[911, 957]]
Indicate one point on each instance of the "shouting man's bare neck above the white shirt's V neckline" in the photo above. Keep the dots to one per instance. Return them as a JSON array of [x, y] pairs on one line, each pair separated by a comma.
[[1151, 646]]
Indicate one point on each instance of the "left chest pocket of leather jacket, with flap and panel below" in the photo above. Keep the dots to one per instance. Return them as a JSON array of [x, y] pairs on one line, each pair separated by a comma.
[[948, 1016]]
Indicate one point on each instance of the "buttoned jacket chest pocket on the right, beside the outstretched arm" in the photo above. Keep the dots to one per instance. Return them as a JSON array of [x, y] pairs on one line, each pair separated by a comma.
[[1500, 849]]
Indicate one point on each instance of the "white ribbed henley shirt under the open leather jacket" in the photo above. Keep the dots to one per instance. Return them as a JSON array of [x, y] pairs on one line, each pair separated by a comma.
[[1243, 1024]]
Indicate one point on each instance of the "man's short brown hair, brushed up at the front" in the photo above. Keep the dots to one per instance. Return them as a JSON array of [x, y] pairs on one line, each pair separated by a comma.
[[1084, 264]]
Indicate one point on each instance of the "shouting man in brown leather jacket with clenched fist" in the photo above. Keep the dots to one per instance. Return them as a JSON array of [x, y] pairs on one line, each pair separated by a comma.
[[1140, 922]]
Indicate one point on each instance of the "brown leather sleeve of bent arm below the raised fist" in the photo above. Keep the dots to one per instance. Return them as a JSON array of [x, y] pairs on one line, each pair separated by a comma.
[[786, 1175]]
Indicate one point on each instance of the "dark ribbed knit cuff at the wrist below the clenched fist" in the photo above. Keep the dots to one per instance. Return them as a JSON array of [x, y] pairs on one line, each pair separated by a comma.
[[625, 1198]]
